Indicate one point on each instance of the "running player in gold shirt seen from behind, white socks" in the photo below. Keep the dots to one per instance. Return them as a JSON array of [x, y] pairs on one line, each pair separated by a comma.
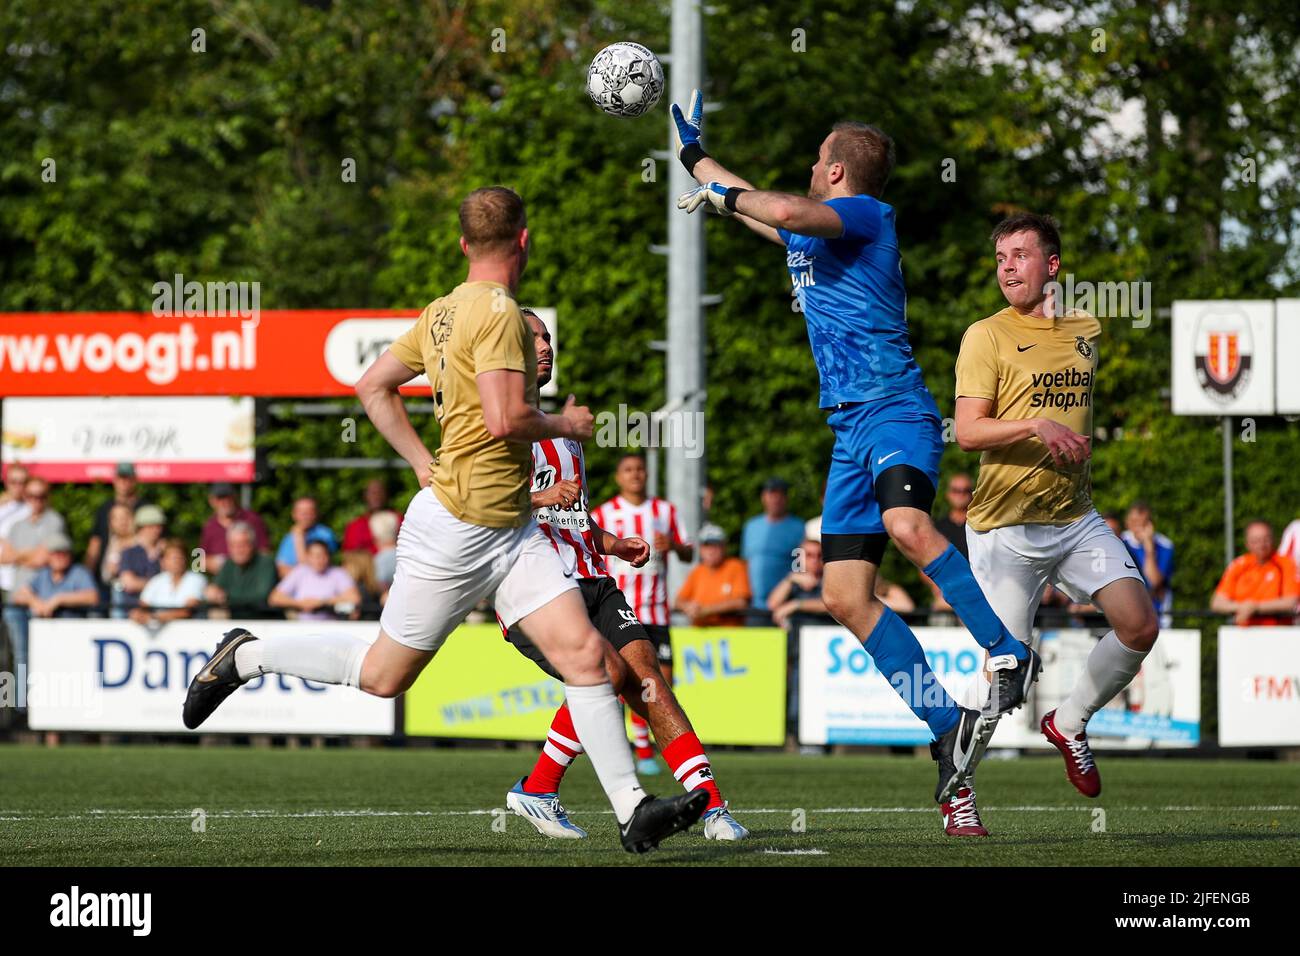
[[470, 533]]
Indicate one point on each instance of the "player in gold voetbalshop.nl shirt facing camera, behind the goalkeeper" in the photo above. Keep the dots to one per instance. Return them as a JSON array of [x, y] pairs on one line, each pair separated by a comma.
[[1025, 386]]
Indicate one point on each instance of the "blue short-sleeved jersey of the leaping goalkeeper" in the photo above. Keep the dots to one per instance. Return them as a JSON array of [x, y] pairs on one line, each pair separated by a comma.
[[853, 300]]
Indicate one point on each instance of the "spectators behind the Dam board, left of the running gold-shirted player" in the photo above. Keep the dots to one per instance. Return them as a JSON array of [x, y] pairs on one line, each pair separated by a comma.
[[133, 569]]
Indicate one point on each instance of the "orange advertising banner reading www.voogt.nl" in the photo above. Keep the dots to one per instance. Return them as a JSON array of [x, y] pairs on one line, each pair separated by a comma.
[[288, 353]]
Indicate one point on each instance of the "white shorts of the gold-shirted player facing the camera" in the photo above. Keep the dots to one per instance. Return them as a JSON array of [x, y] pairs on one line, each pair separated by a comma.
[[1012, 565]]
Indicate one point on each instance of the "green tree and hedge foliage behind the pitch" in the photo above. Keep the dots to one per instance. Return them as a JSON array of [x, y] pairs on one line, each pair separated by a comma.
[[227, 165]]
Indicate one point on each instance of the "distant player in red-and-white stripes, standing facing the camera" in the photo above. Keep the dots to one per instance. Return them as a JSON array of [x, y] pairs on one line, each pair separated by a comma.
[[645, 589]]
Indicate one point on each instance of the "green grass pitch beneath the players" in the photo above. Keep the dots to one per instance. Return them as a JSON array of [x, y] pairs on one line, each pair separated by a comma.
[[137, 807]]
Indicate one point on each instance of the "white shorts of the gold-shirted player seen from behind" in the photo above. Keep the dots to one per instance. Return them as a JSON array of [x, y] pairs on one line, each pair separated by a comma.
[[447, 566]]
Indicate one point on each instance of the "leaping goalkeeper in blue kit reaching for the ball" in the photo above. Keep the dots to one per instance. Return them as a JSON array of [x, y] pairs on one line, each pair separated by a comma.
[[843, 257]]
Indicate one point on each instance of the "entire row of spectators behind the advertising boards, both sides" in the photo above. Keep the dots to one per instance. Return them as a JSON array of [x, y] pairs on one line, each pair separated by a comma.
[[133, 569]]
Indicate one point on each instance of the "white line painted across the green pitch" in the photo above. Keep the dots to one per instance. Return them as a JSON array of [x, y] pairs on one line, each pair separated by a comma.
[[19, 816]]
